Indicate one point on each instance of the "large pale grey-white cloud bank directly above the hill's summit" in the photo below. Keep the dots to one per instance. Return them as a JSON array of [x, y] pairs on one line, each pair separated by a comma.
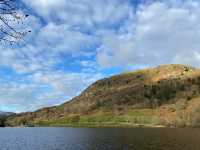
[[161, 33]]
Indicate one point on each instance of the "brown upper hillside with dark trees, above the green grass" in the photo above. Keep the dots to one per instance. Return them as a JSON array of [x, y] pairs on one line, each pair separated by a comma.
[[150, 89]]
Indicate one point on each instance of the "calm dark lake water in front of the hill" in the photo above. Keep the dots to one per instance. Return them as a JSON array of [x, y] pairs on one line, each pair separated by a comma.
[[98, 139]]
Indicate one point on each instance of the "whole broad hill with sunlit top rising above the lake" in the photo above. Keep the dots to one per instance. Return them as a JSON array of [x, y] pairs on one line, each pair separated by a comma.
[[165, 95]]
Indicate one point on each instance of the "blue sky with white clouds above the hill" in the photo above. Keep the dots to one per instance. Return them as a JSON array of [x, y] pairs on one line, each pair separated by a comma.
[[73, 43]]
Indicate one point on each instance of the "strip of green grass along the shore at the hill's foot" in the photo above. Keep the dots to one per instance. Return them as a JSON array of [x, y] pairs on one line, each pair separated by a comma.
[[132, 118]]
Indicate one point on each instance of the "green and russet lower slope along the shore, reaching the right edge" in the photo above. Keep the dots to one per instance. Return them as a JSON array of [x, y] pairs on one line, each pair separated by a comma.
[[184, 113]]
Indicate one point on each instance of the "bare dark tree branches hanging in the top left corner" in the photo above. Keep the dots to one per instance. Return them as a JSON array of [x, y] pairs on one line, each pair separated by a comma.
[[10, 19]]
